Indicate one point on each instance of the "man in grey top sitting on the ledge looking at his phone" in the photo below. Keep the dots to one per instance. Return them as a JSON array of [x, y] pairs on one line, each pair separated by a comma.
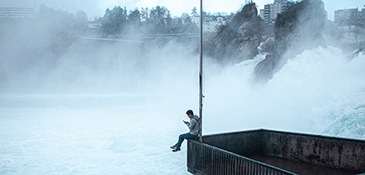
[[194, 127]]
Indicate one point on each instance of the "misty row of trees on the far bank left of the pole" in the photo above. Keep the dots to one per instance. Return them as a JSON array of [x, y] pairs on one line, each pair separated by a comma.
[[156, 20]]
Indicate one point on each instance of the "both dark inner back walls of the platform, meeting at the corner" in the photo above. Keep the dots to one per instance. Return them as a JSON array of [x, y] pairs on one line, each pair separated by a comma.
[[346, 154]]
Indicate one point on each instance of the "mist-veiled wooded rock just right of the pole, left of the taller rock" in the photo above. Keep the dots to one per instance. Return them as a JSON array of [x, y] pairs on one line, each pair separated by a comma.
[[239, 39]]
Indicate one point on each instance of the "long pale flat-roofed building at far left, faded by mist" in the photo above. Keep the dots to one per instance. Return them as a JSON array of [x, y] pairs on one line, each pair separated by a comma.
[[16, 12]]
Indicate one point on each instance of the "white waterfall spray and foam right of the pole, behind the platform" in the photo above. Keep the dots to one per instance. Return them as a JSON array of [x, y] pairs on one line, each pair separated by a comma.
[[314, 92]]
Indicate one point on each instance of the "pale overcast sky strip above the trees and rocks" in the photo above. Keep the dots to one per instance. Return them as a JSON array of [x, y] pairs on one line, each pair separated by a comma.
[[177, 7]]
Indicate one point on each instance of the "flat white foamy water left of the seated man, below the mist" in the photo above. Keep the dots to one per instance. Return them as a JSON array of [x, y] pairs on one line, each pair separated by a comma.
[[62, 140]]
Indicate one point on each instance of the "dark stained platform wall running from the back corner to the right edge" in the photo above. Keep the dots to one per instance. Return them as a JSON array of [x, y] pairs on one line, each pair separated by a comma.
[[323, 151]]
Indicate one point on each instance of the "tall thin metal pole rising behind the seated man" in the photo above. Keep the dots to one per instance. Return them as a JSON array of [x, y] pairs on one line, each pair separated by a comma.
[[201, 73]]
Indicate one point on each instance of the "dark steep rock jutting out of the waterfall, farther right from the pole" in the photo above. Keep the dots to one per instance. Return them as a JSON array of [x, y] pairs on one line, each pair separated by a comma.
[[297, 29]]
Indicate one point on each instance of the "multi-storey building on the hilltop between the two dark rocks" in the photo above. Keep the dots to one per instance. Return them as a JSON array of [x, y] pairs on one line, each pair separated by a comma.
[[271, 11]]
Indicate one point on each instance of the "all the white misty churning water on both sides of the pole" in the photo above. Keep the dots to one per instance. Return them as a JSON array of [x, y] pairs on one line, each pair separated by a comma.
[[106, 122]]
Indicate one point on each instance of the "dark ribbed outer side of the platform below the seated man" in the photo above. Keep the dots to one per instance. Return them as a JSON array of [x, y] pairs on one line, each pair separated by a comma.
[[210, 160]]
